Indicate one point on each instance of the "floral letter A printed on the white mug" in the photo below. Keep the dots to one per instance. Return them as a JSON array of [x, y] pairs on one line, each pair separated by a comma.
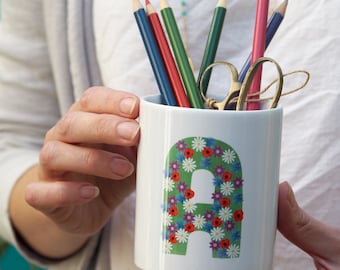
[[222, 219]]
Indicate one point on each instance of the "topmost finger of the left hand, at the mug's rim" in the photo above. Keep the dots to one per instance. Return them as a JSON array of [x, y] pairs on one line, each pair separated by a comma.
[[109, 101]]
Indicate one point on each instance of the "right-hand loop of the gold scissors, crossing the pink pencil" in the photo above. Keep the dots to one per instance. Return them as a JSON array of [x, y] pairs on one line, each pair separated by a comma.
[[249, 79]]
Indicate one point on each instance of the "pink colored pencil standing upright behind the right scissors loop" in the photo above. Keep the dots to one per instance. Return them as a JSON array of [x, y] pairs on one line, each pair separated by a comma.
[[259, 41]]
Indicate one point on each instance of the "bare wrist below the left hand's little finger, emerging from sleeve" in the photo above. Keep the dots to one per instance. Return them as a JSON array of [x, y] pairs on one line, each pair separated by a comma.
[[37, 230]]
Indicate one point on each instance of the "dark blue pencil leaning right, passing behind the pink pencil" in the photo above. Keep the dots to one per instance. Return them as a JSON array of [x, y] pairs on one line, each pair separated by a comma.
[[272, 26]]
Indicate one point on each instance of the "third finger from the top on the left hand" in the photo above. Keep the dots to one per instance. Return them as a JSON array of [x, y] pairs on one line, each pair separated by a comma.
[[57, 156]]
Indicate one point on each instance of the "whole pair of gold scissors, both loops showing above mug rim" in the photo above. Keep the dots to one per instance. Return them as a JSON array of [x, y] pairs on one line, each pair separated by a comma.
[[238, 92]]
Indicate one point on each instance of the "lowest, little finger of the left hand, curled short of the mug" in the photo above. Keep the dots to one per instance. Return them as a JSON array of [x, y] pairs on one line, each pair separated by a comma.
[[48, 196]]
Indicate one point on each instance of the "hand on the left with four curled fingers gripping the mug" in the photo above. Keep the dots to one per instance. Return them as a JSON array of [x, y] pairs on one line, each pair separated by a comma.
[[87, 162]]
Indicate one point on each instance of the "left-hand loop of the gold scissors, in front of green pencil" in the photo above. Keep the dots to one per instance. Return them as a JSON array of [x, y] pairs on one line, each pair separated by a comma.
[[234, 88]]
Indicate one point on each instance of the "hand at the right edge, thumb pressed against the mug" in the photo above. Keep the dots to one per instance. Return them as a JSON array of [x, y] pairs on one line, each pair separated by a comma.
[[320, 241]]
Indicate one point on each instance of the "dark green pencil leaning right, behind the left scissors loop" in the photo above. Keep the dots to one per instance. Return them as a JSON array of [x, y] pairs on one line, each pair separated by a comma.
[[212, 43]]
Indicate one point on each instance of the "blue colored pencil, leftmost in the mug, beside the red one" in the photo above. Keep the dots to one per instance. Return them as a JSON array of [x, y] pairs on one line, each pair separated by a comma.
[[154, 54]]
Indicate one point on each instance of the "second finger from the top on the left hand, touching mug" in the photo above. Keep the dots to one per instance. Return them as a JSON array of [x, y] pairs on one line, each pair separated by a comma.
[[83, 127]]
